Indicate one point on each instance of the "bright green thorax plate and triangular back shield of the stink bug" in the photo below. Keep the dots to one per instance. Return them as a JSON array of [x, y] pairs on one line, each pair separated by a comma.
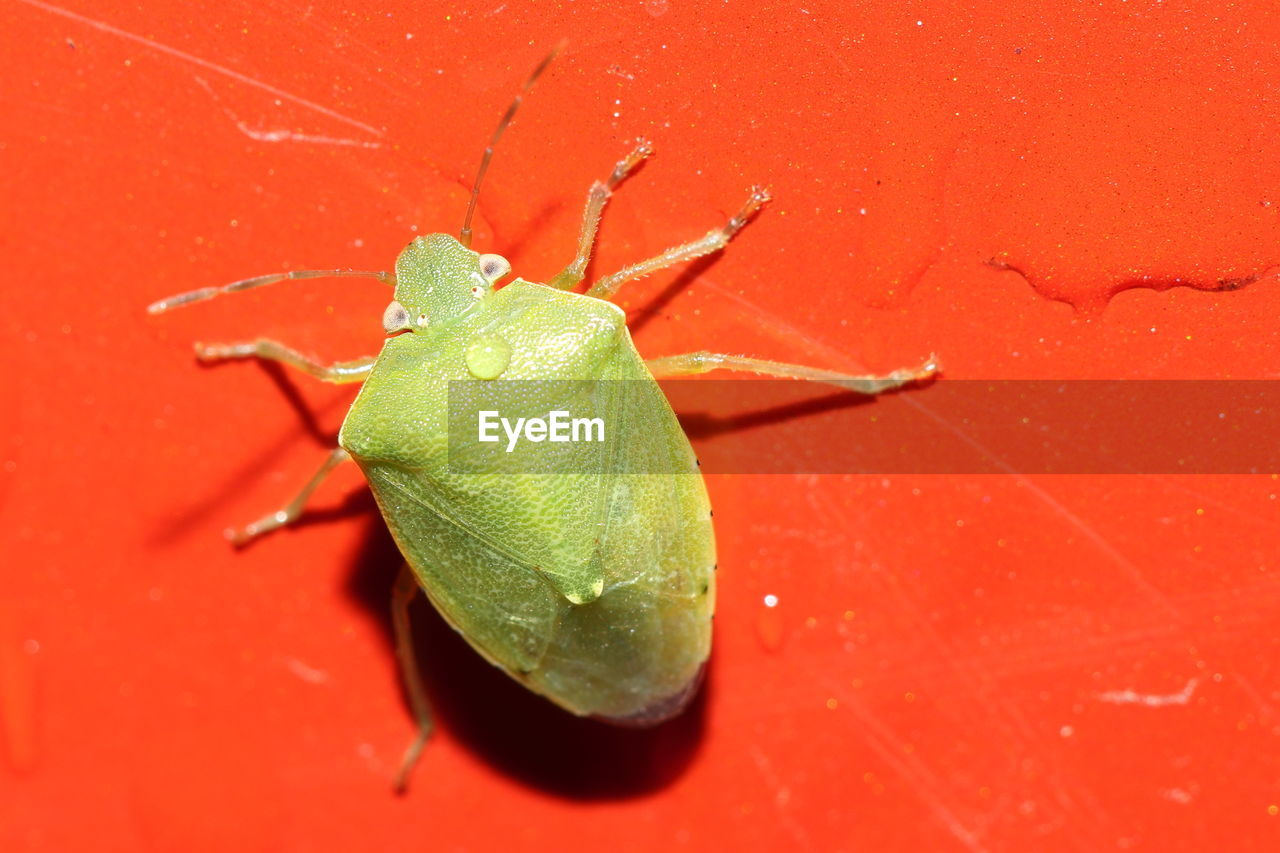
[[541, 507]]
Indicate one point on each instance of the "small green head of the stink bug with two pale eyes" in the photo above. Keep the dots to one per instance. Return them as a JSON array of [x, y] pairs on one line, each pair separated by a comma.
[[438, 280]]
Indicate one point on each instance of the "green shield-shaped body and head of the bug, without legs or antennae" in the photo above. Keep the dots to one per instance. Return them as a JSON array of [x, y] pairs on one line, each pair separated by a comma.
[[595, 590]]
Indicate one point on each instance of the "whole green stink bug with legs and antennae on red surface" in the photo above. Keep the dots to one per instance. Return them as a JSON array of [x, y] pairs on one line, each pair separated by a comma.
[[597, 594]]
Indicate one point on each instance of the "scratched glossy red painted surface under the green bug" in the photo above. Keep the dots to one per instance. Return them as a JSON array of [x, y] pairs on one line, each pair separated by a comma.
[[1003, 663]]
